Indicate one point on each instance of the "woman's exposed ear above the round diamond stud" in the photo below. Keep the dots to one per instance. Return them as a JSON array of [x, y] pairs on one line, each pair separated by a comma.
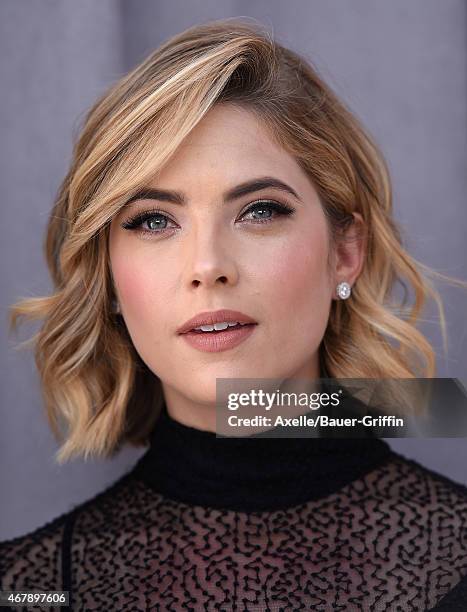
[[350, 251]]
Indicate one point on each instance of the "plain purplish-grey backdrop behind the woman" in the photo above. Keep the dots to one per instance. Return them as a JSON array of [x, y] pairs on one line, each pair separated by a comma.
[[400, 65]]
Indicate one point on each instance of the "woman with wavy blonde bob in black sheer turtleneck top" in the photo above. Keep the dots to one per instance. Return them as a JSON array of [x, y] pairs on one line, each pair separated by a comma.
[[223, 178]]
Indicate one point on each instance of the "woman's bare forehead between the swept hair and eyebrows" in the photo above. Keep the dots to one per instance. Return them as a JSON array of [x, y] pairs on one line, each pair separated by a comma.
[[229, 145]]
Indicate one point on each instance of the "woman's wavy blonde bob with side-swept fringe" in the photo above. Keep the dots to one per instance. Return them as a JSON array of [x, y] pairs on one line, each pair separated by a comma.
[[94, 383]]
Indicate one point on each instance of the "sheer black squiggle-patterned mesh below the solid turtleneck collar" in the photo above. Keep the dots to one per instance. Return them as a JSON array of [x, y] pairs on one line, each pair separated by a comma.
[[393, 540]]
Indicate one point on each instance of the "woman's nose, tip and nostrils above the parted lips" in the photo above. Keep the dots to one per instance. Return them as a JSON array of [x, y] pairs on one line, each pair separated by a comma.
[[211, 260]]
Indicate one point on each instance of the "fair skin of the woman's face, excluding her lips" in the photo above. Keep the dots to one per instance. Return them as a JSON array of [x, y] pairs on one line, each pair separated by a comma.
[[214, 253]]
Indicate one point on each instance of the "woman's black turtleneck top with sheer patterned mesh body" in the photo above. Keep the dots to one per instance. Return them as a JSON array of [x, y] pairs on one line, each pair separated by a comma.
[[209, 523]]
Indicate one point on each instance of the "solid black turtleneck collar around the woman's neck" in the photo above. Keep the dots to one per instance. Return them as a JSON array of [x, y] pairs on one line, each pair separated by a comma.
[[251, 473]]
